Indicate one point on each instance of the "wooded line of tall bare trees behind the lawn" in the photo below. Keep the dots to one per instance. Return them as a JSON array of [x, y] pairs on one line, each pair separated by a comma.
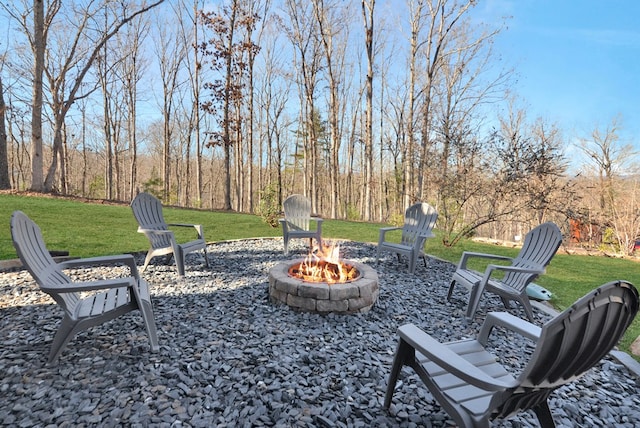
[[365, 107]]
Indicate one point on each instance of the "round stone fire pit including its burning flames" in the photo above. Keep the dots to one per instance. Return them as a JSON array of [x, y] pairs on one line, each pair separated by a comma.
[[342, 286]]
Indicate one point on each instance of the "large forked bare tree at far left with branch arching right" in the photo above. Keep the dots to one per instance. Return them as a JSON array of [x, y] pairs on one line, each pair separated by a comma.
[[74, 58]]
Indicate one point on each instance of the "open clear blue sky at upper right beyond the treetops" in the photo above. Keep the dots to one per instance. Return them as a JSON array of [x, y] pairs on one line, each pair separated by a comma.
[[577, 61]]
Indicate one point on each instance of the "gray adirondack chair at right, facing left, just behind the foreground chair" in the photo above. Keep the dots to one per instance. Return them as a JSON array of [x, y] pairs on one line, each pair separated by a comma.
[[539, 247]]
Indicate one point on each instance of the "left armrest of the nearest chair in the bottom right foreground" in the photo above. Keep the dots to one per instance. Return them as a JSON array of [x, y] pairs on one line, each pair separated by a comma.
[[450, 361]]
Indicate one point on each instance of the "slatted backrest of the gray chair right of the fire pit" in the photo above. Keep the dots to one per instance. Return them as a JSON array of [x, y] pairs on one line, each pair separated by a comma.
[[539, 247]]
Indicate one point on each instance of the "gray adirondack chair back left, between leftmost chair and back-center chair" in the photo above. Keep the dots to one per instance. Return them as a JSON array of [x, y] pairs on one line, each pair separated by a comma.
[[147, 210]]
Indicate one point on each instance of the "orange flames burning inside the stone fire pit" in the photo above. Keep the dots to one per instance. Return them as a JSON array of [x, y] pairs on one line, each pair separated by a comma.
[[324, 265]]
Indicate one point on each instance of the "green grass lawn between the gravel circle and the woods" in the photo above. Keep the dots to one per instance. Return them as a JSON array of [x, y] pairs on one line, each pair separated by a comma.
[[92, 229]]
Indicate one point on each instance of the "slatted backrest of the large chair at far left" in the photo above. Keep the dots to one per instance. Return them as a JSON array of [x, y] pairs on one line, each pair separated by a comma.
[[32, 251]]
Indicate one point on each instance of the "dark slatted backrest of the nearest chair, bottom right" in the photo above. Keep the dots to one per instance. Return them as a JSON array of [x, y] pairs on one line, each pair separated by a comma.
[[573, 342]]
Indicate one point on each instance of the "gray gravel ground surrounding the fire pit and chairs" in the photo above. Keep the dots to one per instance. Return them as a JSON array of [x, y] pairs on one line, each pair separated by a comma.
[[228, 357]]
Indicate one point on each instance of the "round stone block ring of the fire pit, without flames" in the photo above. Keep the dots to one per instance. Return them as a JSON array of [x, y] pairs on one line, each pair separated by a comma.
[[358, 295]]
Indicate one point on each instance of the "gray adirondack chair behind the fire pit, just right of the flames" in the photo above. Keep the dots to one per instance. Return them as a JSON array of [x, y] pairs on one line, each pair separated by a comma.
[[419, 221]]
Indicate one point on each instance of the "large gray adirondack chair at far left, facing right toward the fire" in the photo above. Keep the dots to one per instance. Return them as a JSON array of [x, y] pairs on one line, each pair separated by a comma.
[[85, 303]]
